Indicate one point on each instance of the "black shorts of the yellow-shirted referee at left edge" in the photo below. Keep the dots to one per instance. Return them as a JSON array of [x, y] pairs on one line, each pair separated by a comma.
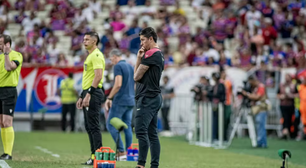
[[8, 99]]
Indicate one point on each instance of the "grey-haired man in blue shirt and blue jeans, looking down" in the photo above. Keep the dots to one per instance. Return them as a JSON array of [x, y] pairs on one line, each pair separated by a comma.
[[121, 100]]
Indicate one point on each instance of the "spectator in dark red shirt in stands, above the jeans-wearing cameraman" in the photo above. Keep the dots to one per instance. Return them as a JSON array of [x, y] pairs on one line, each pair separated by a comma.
[[268, 32]]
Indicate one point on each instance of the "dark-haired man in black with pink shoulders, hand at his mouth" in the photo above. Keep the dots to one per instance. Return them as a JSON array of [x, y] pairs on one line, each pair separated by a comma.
[[147, 74]]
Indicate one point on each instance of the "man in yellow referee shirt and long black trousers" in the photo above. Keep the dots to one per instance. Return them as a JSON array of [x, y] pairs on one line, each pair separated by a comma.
[[91, 97]]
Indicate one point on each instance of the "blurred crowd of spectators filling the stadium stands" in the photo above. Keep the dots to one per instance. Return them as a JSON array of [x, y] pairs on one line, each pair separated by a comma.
[[243, 34]]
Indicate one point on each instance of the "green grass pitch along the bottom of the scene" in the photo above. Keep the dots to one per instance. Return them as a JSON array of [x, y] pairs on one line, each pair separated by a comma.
[[175, 153]]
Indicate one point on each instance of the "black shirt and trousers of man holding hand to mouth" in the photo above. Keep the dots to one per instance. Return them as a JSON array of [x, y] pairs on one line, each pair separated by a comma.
[[148, 102]]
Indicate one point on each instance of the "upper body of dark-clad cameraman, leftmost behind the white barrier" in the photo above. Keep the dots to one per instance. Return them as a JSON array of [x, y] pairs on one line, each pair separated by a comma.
[[201, 89]]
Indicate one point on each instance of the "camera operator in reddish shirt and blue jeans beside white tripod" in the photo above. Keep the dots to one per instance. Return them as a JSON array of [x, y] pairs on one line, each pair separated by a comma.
[[259, 108]]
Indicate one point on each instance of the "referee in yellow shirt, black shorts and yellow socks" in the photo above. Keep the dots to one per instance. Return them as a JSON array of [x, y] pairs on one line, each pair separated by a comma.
[[10, 67]]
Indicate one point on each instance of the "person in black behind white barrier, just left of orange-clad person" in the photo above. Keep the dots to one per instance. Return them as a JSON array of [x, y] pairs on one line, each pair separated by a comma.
[[216, 96]]
